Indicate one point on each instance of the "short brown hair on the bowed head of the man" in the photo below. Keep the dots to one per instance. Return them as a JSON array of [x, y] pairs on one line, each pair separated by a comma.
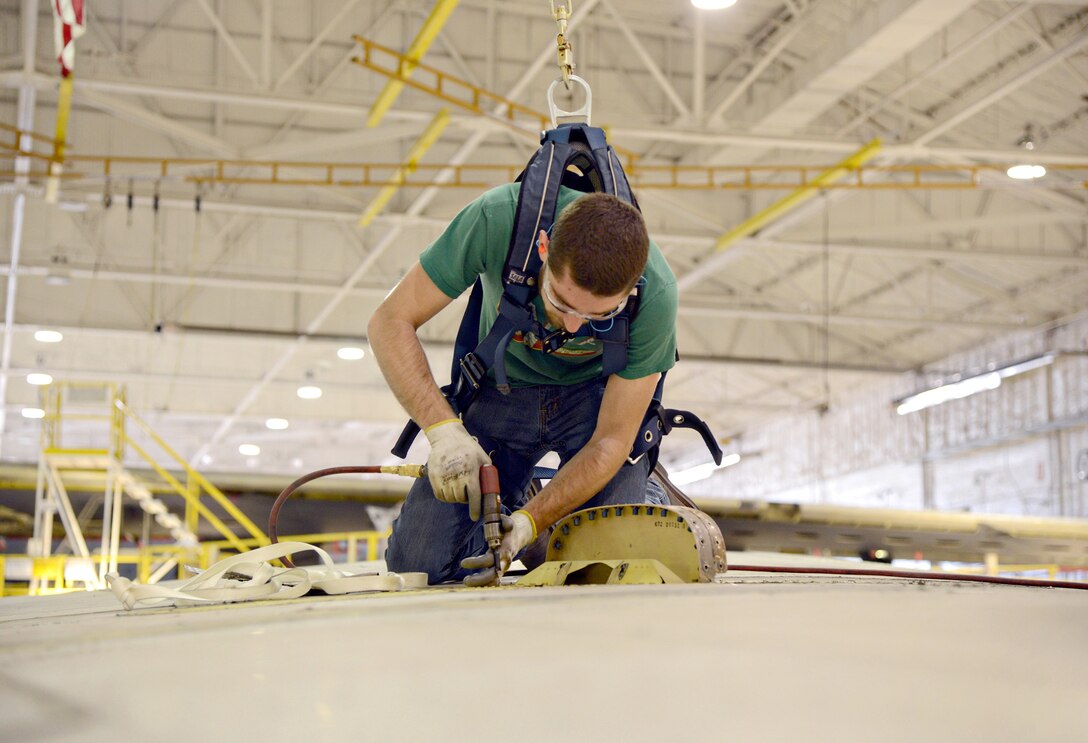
[[601, 243]]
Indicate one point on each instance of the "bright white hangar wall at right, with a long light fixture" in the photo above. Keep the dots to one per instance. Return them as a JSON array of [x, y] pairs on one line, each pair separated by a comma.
[[1021, 449]]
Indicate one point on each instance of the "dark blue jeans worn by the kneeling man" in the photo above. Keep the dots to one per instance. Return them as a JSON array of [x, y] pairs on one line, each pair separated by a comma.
[[517, 430]]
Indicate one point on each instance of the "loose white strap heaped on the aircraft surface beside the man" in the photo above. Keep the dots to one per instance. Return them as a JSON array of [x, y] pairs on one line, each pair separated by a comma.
[[249, 577]]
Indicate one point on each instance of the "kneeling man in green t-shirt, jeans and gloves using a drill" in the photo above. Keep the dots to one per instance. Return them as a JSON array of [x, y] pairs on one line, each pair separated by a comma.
[[598, 253]]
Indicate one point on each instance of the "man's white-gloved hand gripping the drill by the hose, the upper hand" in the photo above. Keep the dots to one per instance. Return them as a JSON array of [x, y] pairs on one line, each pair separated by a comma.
[[454, 465]]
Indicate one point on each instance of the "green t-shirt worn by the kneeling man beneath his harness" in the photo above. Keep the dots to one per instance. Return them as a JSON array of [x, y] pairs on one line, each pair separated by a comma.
[[476, 243]]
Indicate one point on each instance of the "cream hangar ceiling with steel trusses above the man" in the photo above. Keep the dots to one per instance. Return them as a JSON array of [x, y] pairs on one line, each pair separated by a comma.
[[214, 317]]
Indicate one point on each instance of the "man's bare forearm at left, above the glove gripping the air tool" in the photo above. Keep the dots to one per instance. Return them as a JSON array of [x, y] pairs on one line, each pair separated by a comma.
[[404, 365]]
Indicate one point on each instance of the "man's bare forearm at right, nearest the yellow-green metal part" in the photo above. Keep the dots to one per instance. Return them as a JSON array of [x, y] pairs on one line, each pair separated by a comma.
[[583, 478]]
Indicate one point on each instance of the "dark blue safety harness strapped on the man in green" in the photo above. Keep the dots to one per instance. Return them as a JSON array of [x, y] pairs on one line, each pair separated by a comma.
[[576, 156]]
